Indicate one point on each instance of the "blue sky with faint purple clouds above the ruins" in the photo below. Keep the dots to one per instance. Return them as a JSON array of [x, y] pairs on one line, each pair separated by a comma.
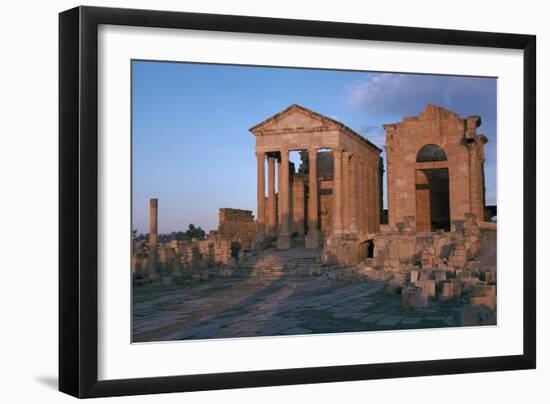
[[191, 145]]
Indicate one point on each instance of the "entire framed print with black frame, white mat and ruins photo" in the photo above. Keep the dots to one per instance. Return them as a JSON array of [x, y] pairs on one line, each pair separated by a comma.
[[250, 201]]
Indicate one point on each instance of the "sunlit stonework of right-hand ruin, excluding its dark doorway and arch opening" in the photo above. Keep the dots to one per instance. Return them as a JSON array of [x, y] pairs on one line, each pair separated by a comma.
[[465, 159]]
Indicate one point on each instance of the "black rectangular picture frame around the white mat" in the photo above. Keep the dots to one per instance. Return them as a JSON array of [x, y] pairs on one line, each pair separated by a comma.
[[78, 196]]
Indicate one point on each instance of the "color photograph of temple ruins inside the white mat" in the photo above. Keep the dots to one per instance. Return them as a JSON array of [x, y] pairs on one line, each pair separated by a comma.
[[270, 201]]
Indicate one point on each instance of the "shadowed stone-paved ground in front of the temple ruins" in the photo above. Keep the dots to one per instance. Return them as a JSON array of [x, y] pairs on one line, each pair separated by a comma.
[[246, 307]]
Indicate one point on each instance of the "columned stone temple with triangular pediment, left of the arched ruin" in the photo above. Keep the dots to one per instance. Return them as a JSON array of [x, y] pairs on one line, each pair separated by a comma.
[[336, 192]]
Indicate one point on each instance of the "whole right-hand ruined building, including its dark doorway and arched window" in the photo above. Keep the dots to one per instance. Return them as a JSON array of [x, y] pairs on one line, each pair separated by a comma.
[[435, 169]]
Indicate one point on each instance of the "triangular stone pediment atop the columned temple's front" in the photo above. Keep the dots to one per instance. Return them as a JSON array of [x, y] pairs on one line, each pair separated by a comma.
[[295, 118]]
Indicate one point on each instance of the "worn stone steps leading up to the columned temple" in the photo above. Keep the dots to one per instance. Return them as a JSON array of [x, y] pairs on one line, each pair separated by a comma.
[[273, 263]]
